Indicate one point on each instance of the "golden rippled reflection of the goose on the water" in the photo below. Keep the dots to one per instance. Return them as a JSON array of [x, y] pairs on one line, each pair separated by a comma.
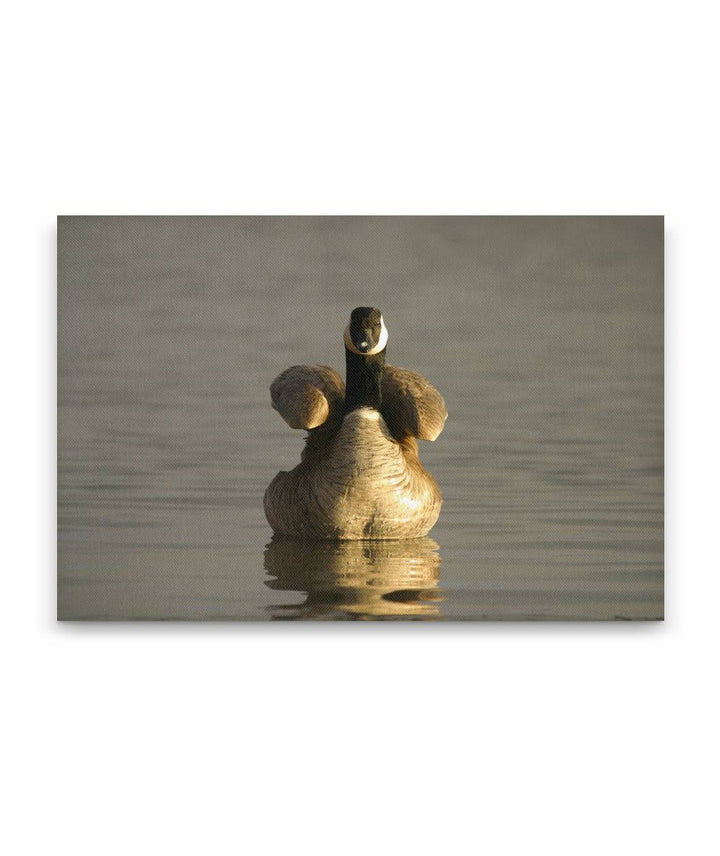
[[355, 579]]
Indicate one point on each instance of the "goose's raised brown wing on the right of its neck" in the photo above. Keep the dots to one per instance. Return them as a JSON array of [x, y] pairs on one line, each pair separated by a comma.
[[411, 405]]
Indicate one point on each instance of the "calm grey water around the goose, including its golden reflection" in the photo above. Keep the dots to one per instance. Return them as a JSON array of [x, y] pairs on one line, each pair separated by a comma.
[[544, 335]]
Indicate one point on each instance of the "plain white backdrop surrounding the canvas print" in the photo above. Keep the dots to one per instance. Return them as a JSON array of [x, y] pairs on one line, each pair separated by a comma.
[[353, 739]]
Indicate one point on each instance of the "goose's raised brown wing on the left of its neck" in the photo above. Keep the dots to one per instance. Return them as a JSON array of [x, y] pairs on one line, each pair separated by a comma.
[[308, 396]]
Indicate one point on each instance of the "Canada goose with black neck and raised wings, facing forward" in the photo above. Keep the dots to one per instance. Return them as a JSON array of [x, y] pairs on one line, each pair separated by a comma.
[[359, 475]]
